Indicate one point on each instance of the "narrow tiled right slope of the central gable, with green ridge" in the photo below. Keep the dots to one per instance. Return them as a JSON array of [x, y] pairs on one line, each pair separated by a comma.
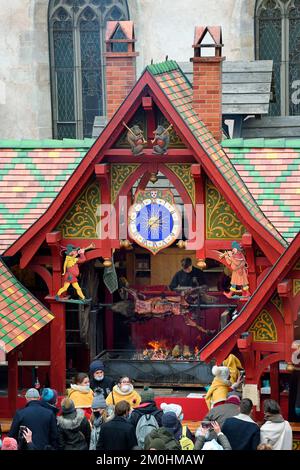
[[178, 89]]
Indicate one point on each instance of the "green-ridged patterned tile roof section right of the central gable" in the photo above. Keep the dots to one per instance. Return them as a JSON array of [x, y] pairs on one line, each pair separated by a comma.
[[272, 175]]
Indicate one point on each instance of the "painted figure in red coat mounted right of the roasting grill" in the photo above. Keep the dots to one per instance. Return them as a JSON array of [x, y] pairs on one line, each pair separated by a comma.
[[238, 265]]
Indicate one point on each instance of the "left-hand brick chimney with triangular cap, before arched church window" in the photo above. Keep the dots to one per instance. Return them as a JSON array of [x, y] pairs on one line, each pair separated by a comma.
[[120, 63]]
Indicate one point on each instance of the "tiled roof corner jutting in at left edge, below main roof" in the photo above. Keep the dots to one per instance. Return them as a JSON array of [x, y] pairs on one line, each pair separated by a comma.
[[21, 314]]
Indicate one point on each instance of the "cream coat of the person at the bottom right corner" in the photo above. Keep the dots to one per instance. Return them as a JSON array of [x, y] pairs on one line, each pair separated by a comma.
[[278, 435]]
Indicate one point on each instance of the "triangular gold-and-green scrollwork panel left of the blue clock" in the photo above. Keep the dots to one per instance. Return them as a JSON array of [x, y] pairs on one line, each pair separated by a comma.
[[81, 221]]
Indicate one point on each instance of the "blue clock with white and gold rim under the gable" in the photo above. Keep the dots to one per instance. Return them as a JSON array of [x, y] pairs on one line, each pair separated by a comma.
[[154, 221]]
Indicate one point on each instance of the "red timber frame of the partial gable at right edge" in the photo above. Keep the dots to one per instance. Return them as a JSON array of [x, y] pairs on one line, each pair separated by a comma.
[[258, 356]]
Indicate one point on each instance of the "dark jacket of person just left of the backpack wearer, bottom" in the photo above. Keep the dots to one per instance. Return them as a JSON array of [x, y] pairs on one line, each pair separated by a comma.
[[117, 434]]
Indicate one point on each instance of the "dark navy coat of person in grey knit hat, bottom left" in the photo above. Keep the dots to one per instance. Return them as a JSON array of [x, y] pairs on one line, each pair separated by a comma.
[[41, 422]]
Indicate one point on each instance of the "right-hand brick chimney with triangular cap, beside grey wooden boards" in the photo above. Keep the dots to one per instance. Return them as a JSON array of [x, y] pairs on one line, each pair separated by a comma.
[[207, 81]]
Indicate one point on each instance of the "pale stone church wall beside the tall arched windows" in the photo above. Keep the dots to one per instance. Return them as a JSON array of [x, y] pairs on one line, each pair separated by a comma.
[[163, 27]]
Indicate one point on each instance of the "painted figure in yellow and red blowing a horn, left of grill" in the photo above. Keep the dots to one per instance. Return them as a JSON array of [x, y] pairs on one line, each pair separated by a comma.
[[71, 270]]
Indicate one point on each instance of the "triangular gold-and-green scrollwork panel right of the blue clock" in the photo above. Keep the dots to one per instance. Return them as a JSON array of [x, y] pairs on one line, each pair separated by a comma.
[[221, 221]]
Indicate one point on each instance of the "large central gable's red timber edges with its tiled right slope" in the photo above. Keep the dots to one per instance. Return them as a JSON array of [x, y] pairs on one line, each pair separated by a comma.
[[172, 93]]
